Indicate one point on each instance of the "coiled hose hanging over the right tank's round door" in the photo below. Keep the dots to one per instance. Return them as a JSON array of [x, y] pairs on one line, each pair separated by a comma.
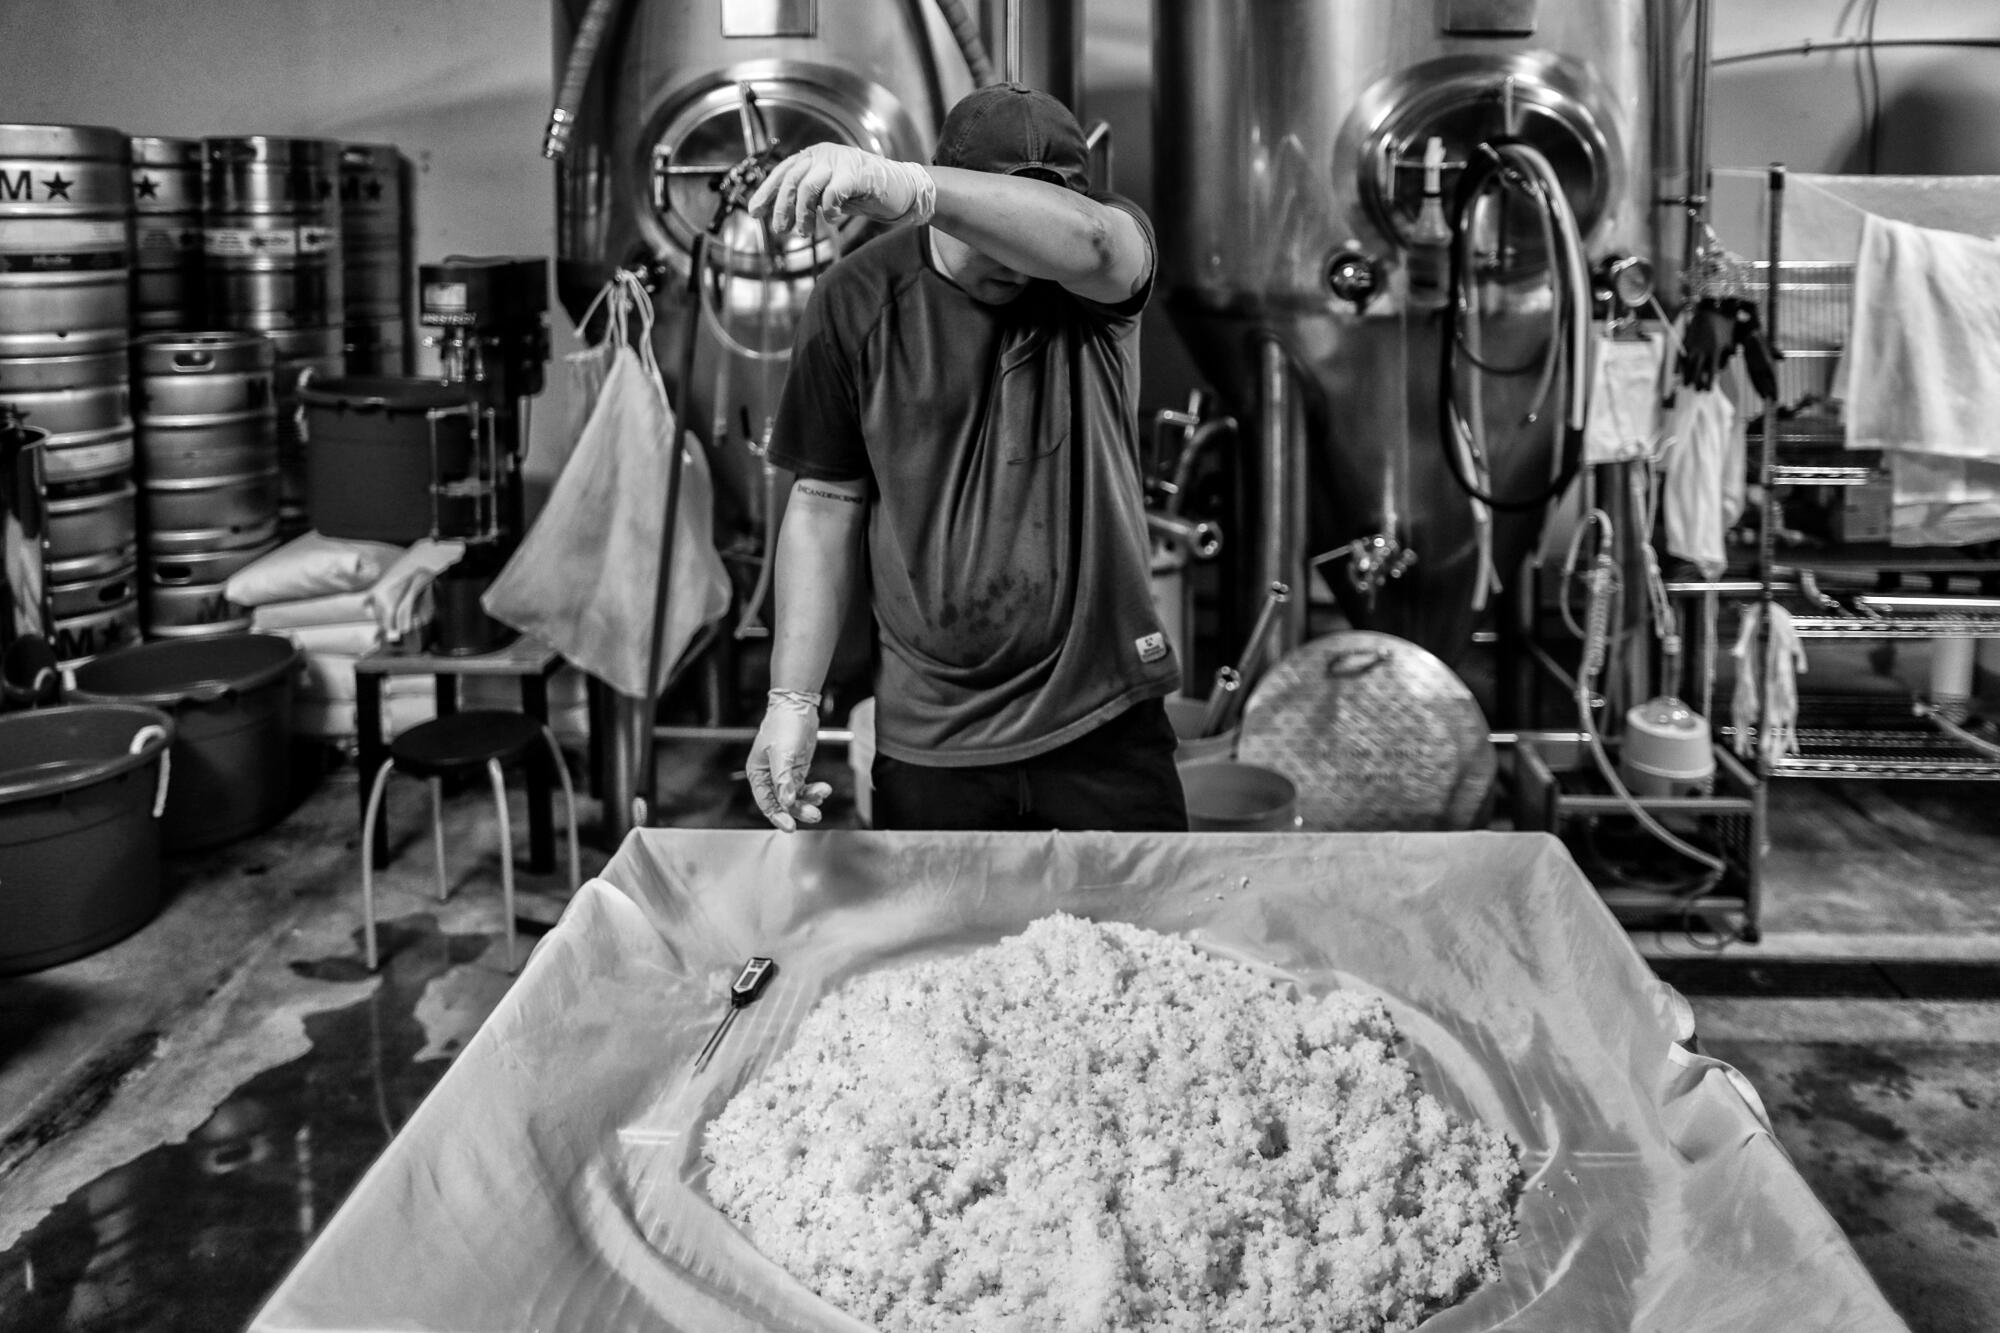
[[1507, 163]]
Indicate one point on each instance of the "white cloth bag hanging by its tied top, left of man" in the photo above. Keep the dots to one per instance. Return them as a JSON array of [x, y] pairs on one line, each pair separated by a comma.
[[585, 573]]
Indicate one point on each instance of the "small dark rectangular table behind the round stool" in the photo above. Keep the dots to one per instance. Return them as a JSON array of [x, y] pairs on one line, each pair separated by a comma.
[[527, 659]]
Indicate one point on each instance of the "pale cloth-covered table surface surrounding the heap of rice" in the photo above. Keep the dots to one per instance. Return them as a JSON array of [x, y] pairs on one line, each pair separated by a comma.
[[551, 1180]]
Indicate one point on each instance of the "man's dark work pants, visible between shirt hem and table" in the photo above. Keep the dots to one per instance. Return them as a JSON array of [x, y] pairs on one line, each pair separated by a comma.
[[1119, 778]]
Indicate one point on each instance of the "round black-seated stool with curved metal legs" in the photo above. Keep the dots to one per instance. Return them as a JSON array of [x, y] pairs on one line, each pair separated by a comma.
[[455, 746]]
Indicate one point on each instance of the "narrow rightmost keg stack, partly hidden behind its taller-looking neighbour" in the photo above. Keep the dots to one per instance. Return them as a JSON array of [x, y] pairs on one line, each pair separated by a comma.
[[375, 241]]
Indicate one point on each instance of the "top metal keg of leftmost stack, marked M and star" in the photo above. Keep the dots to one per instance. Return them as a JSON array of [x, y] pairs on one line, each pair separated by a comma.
[[65, 239]]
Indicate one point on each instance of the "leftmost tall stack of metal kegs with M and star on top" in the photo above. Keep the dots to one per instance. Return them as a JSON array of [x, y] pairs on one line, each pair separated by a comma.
[[65, 325]]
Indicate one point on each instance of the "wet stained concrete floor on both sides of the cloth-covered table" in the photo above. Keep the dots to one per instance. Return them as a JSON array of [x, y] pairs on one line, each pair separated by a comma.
[[183, 1112]]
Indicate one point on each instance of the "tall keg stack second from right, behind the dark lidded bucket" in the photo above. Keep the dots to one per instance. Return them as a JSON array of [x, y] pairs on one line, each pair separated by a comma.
[[271, 231]]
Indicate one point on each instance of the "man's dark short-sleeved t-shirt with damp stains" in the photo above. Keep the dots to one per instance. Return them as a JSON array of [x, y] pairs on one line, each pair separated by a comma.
[[1007, 531]]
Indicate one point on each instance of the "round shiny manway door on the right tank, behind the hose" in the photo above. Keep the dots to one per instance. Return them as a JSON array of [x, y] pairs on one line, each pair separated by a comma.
[[1469, 101]]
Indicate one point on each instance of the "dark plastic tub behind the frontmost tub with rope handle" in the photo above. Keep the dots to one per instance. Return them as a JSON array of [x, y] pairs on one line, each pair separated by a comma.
[[231, 700]]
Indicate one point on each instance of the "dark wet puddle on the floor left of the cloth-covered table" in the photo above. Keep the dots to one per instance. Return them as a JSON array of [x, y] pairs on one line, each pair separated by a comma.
[[197, 1234]]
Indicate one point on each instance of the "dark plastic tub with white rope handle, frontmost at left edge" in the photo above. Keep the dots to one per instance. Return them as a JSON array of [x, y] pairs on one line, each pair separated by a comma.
[[79, 830]]
